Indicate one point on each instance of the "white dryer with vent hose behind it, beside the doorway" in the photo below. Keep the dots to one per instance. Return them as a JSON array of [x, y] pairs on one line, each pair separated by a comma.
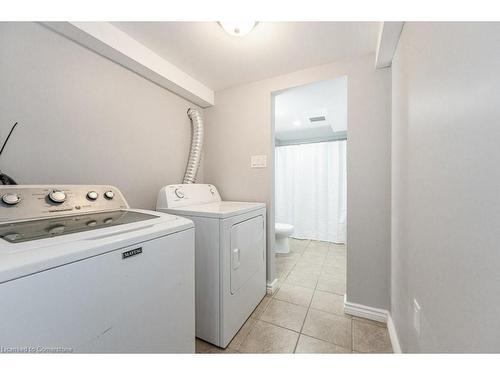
[[230, 257]]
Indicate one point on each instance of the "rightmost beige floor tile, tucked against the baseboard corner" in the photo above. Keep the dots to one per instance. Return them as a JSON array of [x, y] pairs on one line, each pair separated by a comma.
[[370, 338]]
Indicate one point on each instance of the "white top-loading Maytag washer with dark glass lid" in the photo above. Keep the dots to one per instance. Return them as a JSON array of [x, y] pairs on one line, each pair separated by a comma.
[[82, 272]]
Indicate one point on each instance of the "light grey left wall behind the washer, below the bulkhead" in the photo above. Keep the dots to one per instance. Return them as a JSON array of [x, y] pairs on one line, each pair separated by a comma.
[[86, 120]]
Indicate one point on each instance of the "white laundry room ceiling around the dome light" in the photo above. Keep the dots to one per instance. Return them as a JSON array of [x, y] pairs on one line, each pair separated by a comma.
[[204, 51]]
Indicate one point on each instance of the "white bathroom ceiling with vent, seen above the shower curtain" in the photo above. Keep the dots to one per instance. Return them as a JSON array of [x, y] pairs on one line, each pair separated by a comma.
[[294, 107]]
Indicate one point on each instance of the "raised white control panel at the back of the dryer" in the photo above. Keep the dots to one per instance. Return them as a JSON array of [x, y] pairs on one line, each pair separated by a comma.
[[174, 196]]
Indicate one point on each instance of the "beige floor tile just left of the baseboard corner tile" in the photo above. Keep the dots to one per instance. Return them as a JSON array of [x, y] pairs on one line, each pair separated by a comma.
[[329, 327]]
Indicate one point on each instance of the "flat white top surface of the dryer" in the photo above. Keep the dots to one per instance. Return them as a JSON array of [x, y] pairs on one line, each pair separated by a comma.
[[220, 210]]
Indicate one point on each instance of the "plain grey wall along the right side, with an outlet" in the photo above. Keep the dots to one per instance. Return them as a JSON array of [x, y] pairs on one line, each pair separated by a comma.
[[445, 186]]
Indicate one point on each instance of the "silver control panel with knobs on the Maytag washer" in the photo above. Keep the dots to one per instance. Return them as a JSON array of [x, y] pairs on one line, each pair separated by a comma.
[[23, 202]]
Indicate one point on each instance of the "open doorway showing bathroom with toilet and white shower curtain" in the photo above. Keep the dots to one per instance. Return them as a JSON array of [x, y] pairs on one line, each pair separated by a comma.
[[310, 185]]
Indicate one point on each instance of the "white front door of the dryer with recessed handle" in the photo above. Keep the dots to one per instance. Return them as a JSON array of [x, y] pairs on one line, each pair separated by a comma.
[[247, 250]]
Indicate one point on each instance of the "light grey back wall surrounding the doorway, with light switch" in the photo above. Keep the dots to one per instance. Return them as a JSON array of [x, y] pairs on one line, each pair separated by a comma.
[[239, 125]]
